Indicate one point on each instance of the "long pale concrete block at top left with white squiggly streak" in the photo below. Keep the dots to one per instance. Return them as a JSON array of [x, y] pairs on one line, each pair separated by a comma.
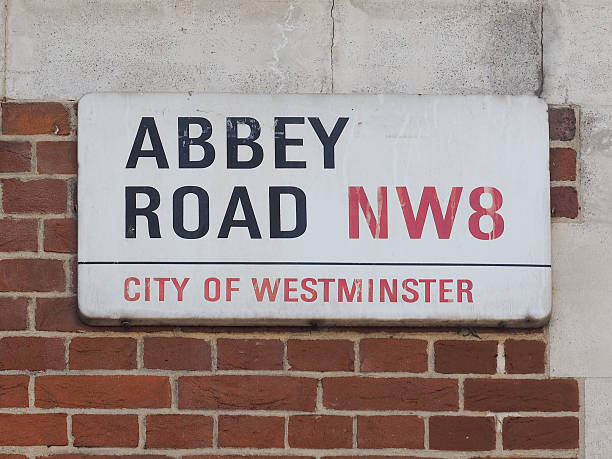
[[66, 48]]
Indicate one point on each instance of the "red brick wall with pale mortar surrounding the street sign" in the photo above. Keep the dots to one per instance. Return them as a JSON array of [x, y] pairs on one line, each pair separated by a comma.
[[70, 390]]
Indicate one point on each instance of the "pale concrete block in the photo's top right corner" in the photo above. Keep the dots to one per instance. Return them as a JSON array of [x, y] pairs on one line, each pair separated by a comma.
[[577, 67]]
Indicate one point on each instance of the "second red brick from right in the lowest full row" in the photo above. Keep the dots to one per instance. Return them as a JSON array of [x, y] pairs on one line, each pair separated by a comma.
[[461, 433]]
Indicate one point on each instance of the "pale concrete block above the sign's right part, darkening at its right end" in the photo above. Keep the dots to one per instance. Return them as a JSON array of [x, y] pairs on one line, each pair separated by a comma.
[[441, 47]]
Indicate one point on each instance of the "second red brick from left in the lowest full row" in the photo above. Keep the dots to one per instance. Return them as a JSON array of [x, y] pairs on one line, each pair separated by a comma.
[[105, 430]]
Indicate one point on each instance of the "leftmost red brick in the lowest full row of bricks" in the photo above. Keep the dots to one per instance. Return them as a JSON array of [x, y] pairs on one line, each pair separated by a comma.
[[33, 429]]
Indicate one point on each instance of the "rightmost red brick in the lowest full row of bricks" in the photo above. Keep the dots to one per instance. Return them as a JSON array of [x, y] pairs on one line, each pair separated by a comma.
[[541, 433]]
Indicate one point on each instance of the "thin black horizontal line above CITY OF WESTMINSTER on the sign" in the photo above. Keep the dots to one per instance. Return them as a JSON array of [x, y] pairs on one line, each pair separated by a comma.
[[309, 263]]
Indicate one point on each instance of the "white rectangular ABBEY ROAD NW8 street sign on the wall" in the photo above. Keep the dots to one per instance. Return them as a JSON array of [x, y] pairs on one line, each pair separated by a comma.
[[313, 209]]
